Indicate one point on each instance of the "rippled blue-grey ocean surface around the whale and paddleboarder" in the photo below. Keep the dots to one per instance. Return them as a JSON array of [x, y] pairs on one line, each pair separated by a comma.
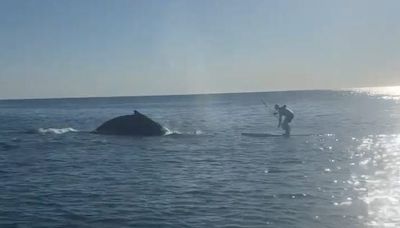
[[344, 173]]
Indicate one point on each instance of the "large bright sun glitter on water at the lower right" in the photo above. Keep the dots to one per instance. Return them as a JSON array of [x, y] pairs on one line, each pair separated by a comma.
[[377, 179]]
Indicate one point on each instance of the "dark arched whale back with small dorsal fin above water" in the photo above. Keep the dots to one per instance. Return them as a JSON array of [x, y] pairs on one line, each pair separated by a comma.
[[136, 124]]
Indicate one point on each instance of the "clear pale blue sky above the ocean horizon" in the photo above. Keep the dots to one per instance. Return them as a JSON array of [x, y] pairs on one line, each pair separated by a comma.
[[90, 48]]
